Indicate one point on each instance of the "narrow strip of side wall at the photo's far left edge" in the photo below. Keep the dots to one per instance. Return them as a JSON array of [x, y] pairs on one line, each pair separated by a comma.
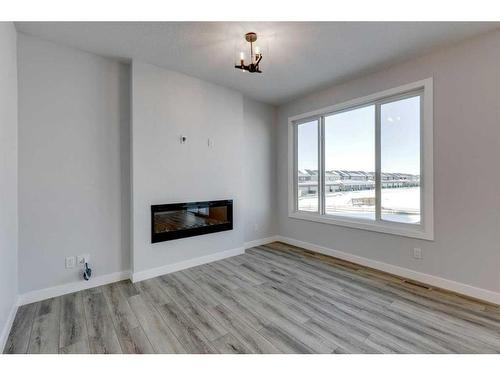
[[8, 176]]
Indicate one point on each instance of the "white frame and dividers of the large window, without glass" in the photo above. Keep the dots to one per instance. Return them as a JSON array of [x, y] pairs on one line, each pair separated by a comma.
[[424, 230]]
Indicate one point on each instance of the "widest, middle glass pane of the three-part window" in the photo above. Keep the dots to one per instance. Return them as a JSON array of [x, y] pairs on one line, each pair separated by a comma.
[[350, 163]]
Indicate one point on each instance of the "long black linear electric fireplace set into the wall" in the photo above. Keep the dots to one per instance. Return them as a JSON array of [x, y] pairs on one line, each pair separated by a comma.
[[179, 220]]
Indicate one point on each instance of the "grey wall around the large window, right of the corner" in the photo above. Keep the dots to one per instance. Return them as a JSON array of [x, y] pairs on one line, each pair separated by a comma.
[[466, 154]]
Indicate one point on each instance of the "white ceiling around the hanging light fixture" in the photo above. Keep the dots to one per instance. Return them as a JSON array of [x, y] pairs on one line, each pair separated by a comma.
[[299, 57]]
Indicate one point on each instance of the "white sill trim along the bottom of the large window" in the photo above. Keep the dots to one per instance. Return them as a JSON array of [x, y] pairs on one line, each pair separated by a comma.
[[389, 228]]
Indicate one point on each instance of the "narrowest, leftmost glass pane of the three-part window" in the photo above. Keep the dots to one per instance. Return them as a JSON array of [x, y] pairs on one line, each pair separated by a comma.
[[307, 165]]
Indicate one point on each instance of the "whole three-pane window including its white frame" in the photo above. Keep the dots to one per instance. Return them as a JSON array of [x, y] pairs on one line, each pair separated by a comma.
[[367, 163]]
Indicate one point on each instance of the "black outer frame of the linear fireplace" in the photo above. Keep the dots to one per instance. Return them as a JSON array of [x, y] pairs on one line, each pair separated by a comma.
[[190, 232]]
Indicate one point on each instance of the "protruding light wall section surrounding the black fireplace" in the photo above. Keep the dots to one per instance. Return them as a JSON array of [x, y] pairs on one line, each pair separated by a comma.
[[165, 106]]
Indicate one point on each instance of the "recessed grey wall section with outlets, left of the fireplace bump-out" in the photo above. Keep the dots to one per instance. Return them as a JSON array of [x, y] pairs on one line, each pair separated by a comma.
[[73, 163]]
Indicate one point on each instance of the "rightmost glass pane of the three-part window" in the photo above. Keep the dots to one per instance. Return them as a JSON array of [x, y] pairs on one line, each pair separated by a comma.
[[400, 160]]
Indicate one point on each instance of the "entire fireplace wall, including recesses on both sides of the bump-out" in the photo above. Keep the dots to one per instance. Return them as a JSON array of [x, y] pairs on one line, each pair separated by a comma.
[[74, 161]]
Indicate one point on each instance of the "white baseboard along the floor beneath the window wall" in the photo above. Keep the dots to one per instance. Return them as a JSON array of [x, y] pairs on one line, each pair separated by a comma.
[[454, 286]]
